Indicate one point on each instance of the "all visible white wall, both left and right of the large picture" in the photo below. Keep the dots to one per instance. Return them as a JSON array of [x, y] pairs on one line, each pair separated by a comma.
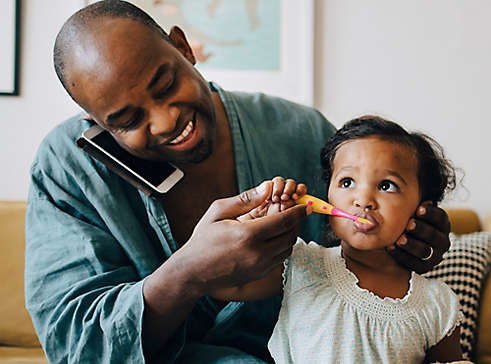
[[422, 63]]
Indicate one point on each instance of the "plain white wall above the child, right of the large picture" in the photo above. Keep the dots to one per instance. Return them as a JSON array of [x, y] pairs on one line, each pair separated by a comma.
[[425, 64]]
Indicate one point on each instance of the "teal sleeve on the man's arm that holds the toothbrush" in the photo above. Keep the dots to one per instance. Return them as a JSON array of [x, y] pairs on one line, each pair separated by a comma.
[[83, 293]]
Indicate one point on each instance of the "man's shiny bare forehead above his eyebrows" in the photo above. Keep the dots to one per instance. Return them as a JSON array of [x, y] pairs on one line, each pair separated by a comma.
[[114, 52]]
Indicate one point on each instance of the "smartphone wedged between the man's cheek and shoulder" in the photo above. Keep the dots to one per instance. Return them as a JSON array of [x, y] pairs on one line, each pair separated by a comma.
[[152, 177]]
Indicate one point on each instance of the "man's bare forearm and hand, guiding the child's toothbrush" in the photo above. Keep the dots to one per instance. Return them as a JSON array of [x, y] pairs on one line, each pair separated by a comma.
[[222, 252]]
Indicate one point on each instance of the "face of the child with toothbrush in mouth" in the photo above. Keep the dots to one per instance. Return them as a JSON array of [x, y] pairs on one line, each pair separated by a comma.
[[377, 180]]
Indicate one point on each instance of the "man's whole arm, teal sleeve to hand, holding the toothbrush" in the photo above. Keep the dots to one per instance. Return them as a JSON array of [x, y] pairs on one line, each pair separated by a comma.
[[89, 302]]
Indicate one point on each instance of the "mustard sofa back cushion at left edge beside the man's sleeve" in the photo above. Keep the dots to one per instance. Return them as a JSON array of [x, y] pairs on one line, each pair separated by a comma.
[[15, 323]]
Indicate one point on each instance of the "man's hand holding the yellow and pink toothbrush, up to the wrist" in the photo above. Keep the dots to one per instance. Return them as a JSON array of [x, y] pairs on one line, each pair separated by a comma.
[[225, 251]]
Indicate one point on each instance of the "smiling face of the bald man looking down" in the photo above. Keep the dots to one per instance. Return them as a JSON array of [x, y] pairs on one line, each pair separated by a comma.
[[144, 91]]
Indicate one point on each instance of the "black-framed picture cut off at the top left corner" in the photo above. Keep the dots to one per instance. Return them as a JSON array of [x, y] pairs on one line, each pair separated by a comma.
[[9, 44]]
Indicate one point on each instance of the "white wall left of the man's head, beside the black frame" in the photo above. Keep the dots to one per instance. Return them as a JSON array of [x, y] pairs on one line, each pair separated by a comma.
[[42, 103]]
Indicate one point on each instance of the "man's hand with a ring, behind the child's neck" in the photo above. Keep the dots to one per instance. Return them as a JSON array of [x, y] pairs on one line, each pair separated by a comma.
[[425, 240]]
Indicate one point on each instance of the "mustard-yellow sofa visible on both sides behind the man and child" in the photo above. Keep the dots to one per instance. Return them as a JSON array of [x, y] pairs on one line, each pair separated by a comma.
[[18, 341]]
